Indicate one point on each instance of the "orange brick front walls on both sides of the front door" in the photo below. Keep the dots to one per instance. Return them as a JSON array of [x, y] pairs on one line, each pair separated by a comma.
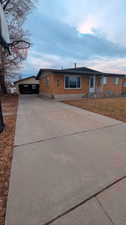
[[52, 85]]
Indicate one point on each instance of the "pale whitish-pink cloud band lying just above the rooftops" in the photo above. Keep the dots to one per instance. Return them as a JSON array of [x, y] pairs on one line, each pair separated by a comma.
[[38, 60]]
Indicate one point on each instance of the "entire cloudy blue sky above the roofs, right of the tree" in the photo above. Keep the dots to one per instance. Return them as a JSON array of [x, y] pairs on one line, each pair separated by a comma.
[[89, 32]]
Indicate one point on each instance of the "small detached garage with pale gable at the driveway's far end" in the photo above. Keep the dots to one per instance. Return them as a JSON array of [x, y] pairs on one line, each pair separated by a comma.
[[27, 85]]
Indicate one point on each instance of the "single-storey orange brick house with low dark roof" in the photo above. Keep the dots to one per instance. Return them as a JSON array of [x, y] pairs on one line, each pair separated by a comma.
[[80, 82]]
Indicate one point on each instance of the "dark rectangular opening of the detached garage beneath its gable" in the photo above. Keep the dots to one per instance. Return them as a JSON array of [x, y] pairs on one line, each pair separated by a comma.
[[29, 88]]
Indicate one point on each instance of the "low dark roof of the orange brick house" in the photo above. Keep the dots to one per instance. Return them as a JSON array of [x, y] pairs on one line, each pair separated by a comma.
[[79, 71]]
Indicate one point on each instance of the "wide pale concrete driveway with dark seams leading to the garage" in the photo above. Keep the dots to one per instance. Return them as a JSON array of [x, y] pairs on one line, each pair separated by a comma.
[[69, 167]]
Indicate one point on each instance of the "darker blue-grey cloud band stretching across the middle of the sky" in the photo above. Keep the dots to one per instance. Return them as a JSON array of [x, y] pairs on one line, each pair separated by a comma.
[[52, 36]]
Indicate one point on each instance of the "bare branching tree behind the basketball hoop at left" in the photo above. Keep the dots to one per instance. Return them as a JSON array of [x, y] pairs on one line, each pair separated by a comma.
[[16, 12]]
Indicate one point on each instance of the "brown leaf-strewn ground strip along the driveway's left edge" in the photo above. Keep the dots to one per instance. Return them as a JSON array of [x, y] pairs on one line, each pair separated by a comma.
[[9, 105]]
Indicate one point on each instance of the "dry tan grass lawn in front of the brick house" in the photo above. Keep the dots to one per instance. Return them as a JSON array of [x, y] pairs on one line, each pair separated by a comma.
[[112, 107]]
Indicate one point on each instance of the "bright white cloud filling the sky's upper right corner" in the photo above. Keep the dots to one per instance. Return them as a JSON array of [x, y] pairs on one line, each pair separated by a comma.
[[107, 16]]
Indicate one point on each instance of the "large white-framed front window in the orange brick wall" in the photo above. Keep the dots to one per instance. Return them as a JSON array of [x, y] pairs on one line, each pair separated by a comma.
[[72, 82]]
